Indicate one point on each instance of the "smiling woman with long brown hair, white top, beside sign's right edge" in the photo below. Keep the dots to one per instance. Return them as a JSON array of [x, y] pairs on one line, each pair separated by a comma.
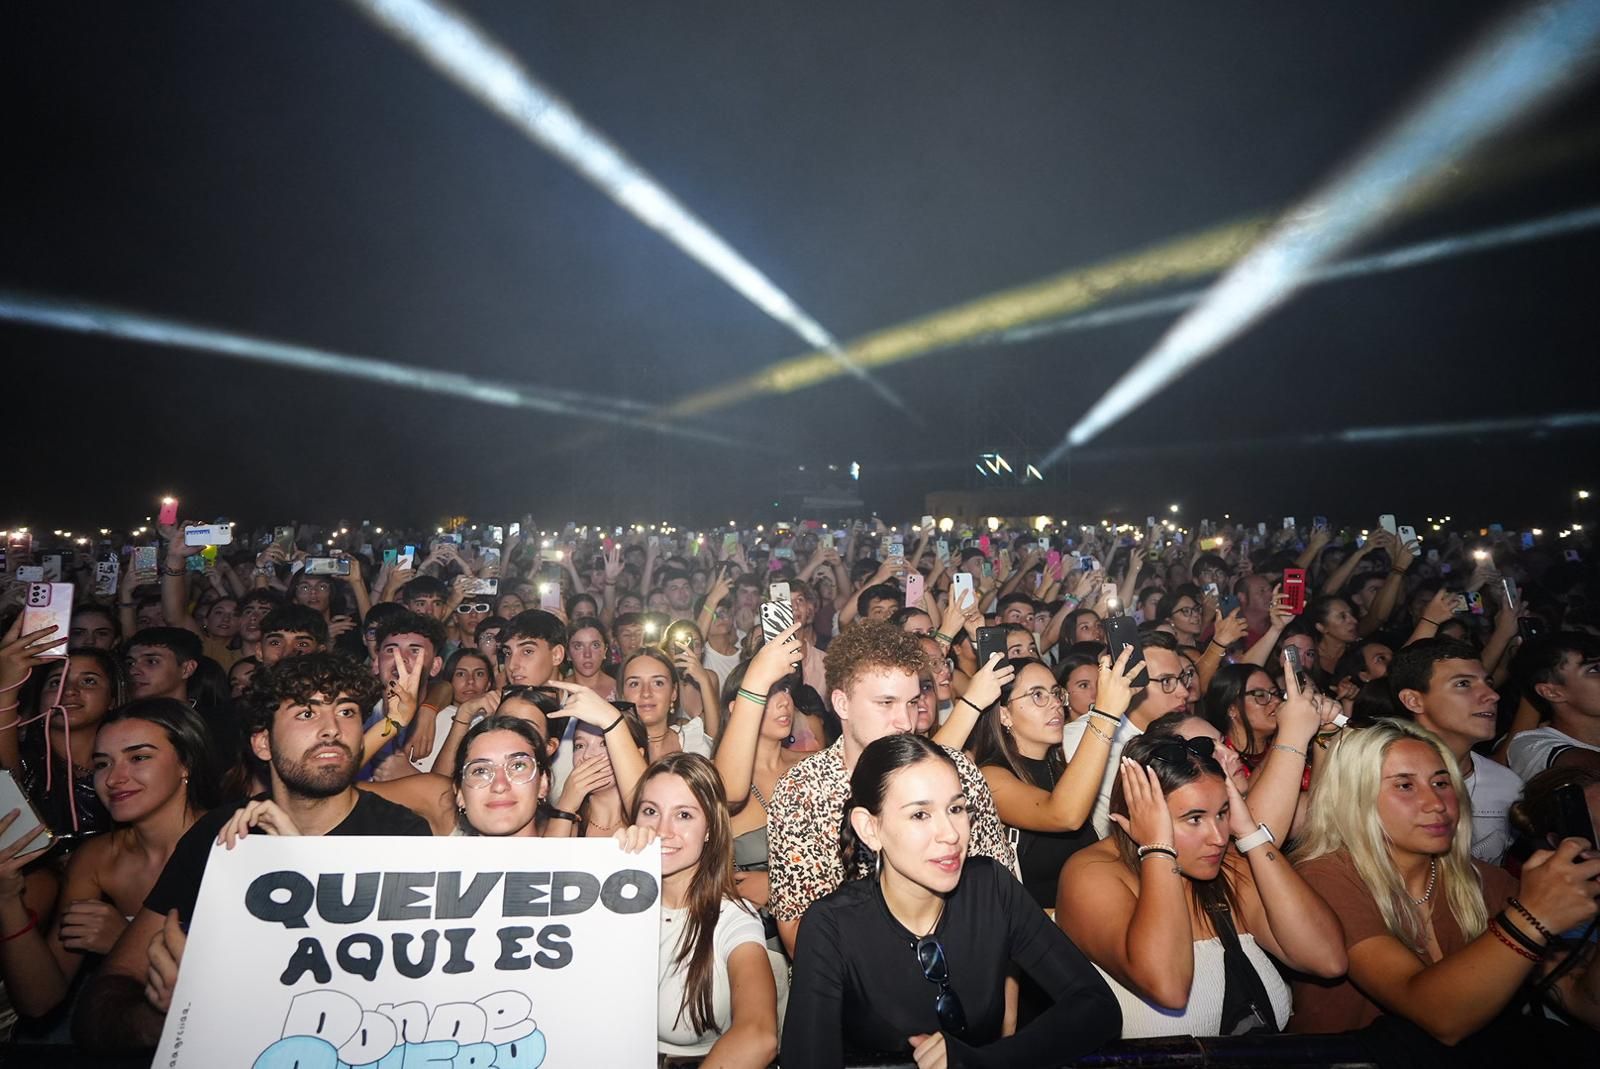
[[718, 993]]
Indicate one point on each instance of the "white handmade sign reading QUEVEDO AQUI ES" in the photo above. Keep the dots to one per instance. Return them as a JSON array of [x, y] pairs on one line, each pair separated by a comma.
[[394, 953]]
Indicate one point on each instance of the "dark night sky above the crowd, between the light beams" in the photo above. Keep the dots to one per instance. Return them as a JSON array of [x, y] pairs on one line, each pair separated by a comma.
[[287, 170]]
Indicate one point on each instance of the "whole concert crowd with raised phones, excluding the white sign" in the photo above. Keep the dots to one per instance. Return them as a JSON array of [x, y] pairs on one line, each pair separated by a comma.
[[966, 793]]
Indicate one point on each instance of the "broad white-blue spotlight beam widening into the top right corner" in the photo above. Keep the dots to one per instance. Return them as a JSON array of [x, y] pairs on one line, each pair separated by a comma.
[[1543, 50]]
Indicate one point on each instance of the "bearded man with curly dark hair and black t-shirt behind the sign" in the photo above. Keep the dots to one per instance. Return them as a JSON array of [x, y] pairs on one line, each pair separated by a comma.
[[303, 718]]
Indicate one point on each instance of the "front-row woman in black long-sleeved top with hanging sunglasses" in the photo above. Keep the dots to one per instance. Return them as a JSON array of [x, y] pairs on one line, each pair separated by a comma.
[[913, 961]]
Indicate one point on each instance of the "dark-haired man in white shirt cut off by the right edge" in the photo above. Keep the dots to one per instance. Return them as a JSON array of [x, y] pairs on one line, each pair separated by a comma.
[[1561, 678]]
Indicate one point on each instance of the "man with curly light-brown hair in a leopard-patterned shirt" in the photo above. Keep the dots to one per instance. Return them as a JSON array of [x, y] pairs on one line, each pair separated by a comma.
[[874, 679]]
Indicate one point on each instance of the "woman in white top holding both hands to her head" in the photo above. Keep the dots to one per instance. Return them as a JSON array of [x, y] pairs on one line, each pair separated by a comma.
[[1178, 923]]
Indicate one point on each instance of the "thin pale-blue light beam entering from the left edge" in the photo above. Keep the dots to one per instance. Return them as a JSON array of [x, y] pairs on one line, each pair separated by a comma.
[[97, 319]]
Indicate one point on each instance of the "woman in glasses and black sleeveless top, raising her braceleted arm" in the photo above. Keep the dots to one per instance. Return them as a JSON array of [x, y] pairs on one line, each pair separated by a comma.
[[1038, 791]]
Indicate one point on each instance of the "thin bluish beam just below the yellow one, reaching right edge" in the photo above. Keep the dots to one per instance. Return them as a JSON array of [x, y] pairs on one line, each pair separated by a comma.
[[1380, 263]]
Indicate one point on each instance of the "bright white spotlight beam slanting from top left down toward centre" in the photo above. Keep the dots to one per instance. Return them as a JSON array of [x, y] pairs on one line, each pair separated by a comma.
[[486, 70]]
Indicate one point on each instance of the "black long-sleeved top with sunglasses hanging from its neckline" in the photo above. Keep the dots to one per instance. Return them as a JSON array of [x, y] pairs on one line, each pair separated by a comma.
[[858, 987]]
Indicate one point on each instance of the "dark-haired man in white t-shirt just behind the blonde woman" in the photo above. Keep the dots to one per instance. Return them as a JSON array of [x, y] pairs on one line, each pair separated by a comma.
[[1446, 687]]
